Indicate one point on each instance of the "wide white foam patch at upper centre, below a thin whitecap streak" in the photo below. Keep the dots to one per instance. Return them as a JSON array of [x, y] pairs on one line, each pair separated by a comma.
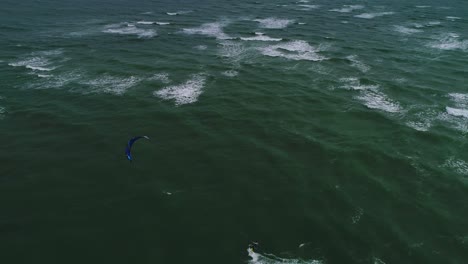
[[293, 50]]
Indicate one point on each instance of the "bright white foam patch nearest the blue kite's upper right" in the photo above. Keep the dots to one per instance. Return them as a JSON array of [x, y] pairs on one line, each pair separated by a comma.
[[185, 93]]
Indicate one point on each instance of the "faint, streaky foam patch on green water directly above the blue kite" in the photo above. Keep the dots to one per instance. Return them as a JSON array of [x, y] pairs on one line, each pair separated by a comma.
[[112, 84]]
